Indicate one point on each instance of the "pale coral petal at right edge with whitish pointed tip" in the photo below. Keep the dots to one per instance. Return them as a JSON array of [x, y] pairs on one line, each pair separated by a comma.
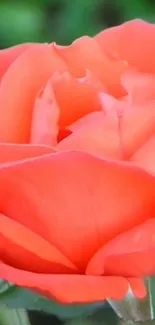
[[136, 122]]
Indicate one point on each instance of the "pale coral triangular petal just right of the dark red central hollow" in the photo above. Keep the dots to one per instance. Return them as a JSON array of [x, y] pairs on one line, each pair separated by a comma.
[[97, 134]]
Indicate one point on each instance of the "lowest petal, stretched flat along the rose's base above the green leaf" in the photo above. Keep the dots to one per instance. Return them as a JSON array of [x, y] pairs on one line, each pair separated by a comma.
[[71, 288]]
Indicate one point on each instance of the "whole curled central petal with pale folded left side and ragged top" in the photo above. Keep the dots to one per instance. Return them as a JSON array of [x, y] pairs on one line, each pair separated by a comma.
[[64, 100]]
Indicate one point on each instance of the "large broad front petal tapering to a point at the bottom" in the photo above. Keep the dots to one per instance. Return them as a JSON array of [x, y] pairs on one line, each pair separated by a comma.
[[91, 199]]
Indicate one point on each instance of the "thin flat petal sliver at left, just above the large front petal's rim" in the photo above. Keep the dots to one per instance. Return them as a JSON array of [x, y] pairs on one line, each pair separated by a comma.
[[14, 152]]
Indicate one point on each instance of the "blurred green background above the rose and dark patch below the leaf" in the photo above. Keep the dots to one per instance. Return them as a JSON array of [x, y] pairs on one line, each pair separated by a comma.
[[63, 21]]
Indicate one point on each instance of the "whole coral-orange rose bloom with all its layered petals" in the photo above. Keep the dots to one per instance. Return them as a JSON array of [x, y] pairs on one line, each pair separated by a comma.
[[77, 182]]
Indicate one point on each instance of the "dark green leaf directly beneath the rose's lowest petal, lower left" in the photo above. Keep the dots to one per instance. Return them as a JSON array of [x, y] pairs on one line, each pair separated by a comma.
[[15, 297]]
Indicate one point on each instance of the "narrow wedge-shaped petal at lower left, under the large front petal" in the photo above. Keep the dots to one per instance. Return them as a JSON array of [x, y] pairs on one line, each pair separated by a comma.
[[24, 249]]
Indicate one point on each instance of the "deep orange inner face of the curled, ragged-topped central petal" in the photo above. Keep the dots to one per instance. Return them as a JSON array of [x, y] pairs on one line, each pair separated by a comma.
[[75, 97]]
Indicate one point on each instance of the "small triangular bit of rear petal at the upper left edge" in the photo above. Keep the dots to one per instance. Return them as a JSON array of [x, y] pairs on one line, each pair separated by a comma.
[[7, 56]]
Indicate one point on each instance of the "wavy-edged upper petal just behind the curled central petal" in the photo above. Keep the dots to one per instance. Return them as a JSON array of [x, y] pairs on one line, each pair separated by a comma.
[[84, 53]]
